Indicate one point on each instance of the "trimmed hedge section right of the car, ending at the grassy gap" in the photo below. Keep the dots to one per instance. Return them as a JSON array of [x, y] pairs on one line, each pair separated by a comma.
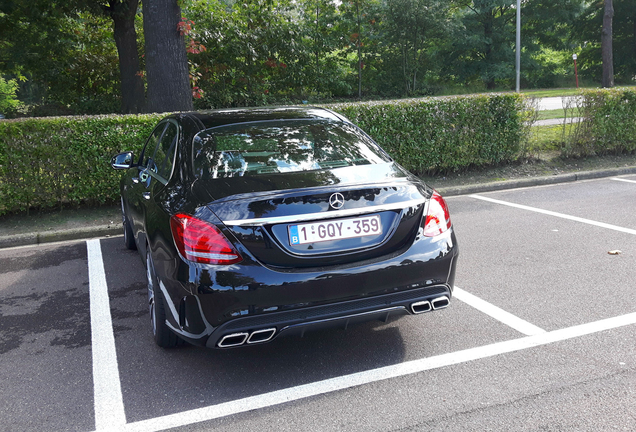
[[449, 134]]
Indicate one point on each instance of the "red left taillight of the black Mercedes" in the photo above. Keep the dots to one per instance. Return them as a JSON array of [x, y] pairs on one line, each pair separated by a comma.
[[201, 242]]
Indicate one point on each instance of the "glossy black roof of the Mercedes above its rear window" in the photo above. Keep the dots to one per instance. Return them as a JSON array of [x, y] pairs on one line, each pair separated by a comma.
[[220, 117]]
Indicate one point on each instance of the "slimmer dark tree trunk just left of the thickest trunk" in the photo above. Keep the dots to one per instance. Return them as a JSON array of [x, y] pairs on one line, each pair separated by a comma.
[[132, 86]]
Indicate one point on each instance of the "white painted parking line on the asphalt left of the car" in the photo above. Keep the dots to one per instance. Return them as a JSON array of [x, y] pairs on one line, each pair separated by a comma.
[[109, 403]]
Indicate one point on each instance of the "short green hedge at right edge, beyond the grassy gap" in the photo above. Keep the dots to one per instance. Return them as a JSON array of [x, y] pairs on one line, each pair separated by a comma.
[[608, 125]]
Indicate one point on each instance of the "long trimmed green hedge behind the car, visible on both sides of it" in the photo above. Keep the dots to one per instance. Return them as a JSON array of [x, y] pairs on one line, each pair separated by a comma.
[[49, 161]]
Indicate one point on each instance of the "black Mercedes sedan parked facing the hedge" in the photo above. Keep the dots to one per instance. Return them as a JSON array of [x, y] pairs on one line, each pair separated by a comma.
[[257, 223]]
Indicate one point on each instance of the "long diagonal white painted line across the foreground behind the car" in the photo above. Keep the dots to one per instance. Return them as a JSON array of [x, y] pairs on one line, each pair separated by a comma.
[[347, 381]]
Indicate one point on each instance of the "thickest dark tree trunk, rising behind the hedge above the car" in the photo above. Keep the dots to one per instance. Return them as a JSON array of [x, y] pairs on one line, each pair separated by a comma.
[[166, 61]]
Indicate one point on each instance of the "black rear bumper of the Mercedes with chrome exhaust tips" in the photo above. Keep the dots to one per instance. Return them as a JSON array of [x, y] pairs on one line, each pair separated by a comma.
[[249, 304]]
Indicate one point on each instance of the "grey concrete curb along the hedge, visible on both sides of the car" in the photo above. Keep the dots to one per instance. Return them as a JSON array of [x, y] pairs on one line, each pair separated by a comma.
[[111, 230]]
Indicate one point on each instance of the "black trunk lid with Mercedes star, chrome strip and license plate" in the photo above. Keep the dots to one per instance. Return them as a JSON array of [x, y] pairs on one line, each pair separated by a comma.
[[287, 221]]
